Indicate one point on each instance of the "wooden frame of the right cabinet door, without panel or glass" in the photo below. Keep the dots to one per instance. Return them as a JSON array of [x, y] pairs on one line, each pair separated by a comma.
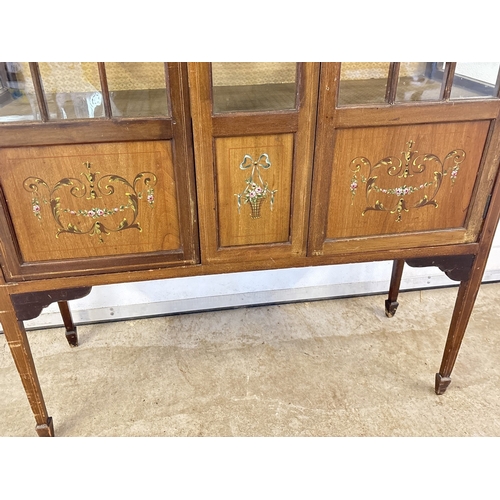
[[332, 118]]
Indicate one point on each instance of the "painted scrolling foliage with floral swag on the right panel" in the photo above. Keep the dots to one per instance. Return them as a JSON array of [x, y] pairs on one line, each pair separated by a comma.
[[419, 178]]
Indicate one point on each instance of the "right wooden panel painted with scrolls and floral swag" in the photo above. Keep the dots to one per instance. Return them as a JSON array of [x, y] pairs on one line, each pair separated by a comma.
[[403, 179]]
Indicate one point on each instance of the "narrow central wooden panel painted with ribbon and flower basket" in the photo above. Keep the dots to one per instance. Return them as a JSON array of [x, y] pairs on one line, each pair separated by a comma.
[[254, 186]]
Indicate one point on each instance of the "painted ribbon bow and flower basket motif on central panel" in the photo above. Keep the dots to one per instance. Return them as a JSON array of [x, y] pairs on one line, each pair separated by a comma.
[[256, 190]]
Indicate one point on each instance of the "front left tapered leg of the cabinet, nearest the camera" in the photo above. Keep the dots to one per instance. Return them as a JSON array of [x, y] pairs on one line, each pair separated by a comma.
[[15, 334]]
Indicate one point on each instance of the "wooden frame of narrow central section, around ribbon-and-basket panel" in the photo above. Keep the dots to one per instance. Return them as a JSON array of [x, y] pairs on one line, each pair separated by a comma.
[[208, 126]]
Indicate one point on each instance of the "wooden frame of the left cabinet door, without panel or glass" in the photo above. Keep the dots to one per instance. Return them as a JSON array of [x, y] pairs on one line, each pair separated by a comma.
[[176, 129]]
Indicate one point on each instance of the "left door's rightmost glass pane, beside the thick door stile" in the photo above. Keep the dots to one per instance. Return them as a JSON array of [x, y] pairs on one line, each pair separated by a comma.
[[137, 89]]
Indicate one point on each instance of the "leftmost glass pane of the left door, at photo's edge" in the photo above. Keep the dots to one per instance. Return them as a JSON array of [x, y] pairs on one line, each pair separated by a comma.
[[17, 94]]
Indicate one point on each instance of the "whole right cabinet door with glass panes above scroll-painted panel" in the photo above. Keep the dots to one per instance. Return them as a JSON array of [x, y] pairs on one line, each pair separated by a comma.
[[403, 157]]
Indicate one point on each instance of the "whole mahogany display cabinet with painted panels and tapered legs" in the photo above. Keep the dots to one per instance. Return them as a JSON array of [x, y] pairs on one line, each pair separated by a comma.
[[120, 172]]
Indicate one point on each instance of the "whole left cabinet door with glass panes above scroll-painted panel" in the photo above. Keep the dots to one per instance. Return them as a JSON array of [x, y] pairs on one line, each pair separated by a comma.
[[97, 169]]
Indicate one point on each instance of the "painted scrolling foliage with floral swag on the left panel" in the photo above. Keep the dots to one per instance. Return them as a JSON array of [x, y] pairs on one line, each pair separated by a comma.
[[94, 216]]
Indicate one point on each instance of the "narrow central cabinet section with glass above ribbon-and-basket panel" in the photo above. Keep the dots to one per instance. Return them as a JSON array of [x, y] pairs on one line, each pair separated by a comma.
[[253, 131]]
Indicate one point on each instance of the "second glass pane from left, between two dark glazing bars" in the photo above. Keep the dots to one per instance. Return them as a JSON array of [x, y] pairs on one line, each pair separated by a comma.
[[72, 90]]
